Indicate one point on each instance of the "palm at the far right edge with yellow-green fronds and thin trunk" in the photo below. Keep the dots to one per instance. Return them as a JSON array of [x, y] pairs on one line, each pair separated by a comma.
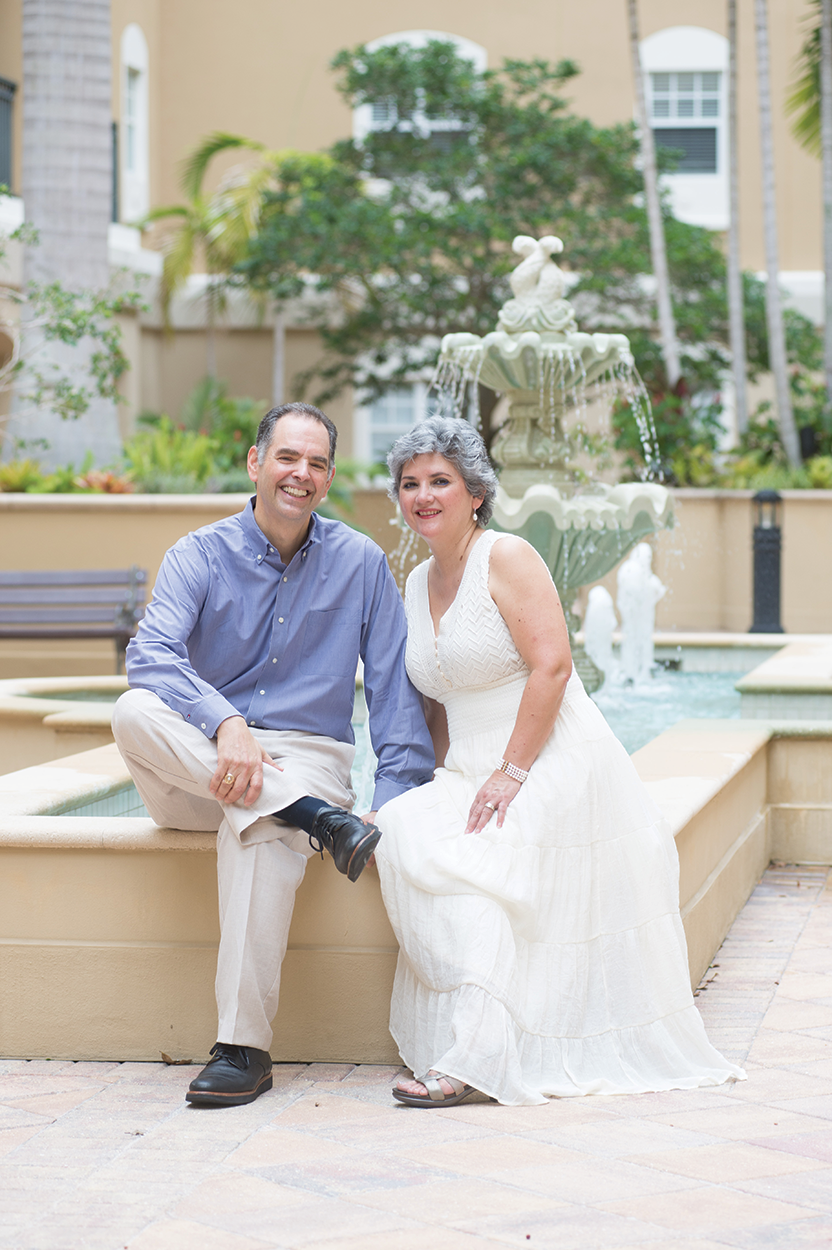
[[811, 103]]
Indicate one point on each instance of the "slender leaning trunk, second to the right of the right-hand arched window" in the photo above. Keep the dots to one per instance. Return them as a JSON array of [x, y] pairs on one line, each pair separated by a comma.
[[774, 309]]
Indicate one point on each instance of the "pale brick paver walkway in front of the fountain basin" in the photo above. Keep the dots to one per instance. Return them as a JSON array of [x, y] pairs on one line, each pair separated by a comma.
[[104, 1157]]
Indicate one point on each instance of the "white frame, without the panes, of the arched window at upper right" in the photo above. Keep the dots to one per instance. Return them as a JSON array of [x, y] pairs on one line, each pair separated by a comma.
[[698, 198]]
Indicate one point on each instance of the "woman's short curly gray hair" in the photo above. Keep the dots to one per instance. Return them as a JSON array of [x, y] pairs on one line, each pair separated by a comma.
[[453, 438]]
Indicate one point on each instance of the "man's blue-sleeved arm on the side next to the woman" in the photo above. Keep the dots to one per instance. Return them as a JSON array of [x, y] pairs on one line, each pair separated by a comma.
[[398, 728]]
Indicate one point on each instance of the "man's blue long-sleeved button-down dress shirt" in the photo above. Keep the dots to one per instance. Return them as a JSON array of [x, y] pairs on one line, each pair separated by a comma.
[[233, 632]]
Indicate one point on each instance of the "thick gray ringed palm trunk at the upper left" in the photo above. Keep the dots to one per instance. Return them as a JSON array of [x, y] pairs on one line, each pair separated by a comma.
[[68, 191]]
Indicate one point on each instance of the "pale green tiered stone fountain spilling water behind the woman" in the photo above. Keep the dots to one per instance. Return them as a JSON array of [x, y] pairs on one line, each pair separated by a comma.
[[549, 371]]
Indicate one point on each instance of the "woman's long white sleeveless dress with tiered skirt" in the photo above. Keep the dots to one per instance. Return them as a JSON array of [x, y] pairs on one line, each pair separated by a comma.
[[545, 958]]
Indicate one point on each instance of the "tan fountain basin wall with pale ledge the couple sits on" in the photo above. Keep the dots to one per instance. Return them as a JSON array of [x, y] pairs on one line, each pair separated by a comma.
[[116, 922]]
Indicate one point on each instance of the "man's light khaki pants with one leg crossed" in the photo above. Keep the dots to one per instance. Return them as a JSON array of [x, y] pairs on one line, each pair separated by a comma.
[[260, 861]]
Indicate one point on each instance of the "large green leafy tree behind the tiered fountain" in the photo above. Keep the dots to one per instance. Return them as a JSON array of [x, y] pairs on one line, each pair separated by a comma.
[[407, 236]]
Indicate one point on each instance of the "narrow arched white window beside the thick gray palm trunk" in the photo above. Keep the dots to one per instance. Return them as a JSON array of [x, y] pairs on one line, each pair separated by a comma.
[[134, 157]]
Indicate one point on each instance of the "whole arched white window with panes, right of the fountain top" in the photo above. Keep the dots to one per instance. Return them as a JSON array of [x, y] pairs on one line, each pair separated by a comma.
[[686, 81]]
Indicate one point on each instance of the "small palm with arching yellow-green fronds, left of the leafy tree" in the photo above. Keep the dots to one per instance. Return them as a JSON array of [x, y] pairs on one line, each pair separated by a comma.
[[217, 227]]
